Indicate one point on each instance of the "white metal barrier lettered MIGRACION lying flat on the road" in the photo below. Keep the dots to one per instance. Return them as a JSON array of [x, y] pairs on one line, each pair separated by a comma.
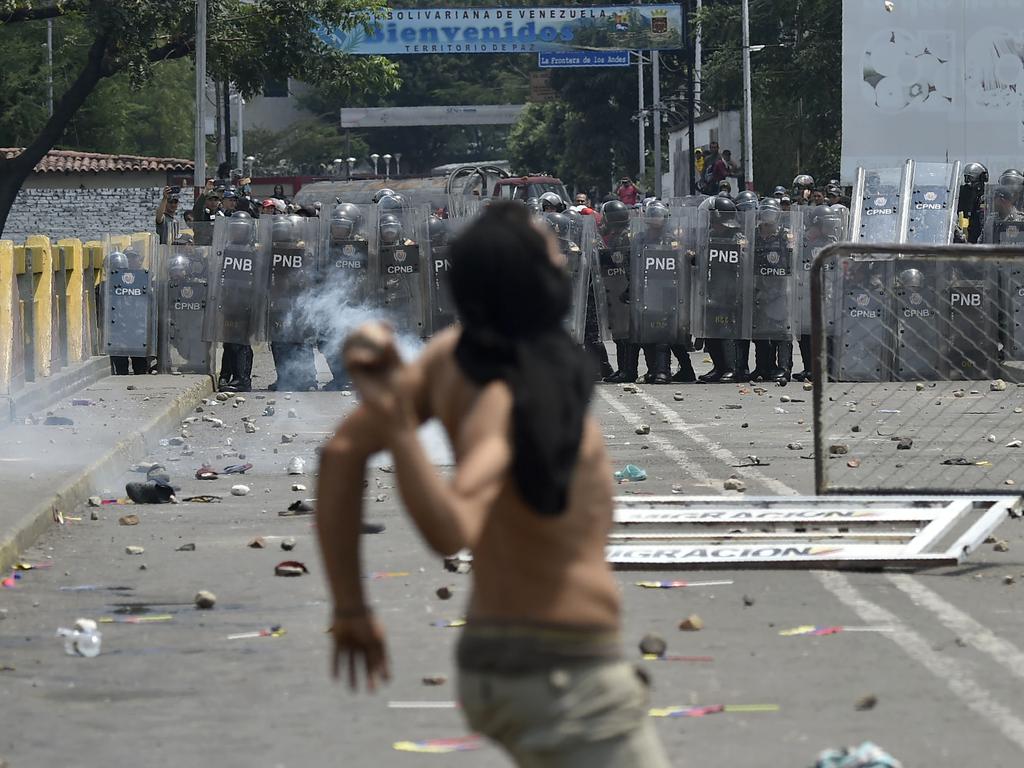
[[801, 532]]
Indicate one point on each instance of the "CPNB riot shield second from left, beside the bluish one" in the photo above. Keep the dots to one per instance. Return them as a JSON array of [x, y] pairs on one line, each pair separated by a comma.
[[185, 292]]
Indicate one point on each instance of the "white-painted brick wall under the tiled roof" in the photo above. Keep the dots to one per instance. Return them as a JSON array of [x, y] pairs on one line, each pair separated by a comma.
[[87, 215]]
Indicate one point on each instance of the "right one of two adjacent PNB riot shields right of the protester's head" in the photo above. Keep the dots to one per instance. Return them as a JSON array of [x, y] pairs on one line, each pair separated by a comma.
[[722, 285]]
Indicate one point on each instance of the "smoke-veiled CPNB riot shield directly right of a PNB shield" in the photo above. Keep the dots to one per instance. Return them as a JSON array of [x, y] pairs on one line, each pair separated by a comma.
[[348, 277]]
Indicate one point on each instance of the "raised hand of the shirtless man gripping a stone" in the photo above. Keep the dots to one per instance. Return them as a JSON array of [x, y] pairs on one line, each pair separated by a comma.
[[373, 361]]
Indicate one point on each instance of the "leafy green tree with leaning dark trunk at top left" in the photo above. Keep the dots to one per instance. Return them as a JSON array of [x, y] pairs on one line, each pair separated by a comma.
[[248, 41]]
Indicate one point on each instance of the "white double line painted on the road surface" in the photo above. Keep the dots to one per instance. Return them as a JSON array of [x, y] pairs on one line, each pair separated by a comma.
[[962, 685]]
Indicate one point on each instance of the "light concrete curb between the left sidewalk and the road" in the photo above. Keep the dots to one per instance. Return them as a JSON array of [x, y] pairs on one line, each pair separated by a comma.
[[78, 489]]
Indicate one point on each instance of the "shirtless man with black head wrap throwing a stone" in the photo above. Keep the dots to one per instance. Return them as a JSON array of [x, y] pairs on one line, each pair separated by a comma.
[[540, 665]]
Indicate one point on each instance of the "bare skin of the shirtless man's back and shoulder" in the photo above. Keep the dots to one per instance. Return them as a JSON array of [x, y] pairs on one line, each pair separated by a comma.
[[529, 567]]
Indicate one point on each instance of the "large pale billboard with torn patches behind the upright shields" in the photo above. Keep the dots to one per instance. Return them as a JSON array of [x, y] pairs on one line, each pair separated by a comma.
[[930, 82]]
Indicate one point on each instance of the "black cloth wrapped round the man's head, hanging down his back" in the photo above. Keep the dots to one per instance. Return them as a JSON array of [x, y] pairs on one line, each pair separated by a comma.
[[513, 301]]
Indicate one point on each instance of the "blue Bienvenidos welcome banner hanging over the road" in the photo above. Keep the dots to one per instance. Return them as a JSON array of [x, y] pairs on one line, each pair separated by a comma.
[[523, 30]]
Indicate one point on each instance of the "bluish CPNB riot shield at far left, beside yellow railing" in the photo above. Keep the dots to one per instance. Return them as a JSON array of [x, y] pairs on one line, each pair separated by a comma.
[[130, 302]]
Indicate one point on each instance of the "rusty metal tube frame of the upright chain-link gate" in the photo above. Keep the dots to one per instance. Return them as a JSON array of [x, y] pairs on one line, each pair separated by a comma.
[[820, 324]]
